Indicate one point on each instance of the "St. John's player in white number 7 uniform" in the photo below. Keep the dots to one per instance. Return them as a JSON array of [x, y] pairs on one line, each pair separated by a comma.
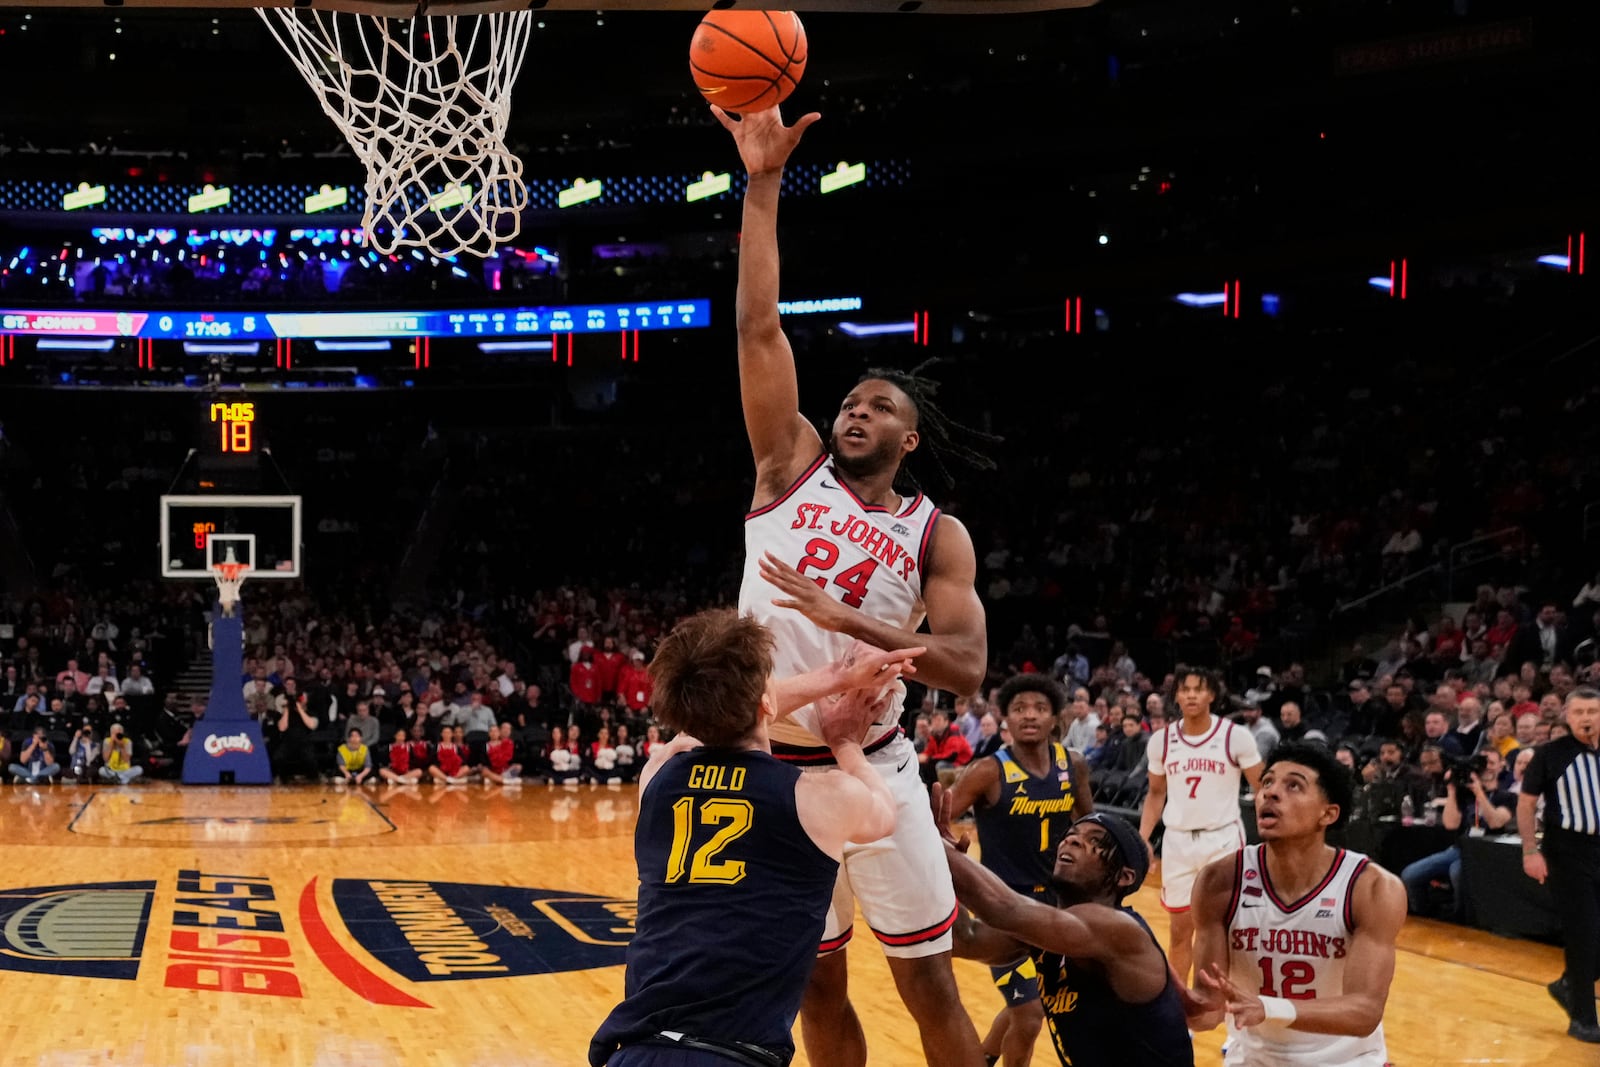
[[1196, 765]]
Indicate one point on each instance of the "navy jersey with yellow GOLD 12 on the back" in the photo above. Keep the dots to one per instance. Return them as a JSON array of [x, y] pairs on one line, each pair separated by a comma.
[[732, 900]]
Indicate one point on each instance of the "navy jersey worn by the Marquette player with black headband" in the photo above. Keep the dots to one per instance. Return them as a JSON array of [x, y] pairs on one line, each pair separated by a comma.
[[1092, 1028]]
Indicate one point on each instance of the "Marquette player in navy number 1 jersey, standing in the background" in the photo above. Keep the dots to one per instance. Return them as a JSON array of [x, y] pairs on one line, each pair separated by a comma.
[[1026, 797]]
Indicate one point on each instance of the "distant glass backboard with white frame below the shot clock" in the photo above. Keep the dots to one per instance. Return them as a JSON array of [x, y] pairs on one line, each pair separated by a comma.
[[262, 532]]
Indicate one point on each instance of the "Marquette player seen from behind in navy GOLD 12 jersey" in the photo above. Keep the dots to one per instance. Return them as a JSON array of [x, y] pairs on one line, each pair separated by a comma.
[[737, 852]]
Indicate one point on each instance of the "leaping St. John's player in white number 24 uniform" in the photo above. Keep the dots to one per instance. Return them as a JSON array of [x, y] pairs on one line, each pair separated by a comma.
[[855, 561]]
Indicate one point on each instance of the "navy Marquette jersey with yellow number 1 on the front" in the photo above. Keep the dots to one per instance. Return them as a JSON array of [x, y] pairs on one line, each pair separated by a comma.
[[1022, 833]]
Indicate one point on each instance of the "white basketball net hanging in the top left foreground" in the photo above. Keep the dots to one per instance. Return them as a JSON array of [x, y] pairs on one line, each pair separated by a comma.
[[425, 103]]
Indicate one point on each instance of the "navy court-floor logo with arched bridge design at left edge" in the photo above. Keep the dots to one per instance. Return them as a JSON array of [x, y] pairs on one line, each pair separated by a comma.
[[84, 932]]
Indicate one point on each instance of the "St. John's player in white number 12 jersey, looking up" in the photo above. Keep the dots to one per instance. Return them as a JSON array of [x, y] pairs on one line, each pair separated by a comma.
[[1295, 940]]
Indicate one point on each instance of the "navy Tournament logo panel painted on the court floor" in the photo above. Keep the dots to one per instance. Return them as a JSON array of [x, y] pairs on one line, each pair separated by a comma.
[[431, 932]]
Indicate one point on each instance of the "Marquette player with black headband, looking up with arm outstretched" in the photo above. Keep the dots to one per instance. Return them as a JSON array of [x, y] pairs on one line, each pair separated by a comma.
[[1108, 993]]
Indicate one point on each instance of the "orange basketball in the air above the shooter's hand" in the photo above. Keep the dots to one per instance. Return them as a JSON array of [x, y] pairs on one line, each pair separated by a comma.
[[748, 60]]
